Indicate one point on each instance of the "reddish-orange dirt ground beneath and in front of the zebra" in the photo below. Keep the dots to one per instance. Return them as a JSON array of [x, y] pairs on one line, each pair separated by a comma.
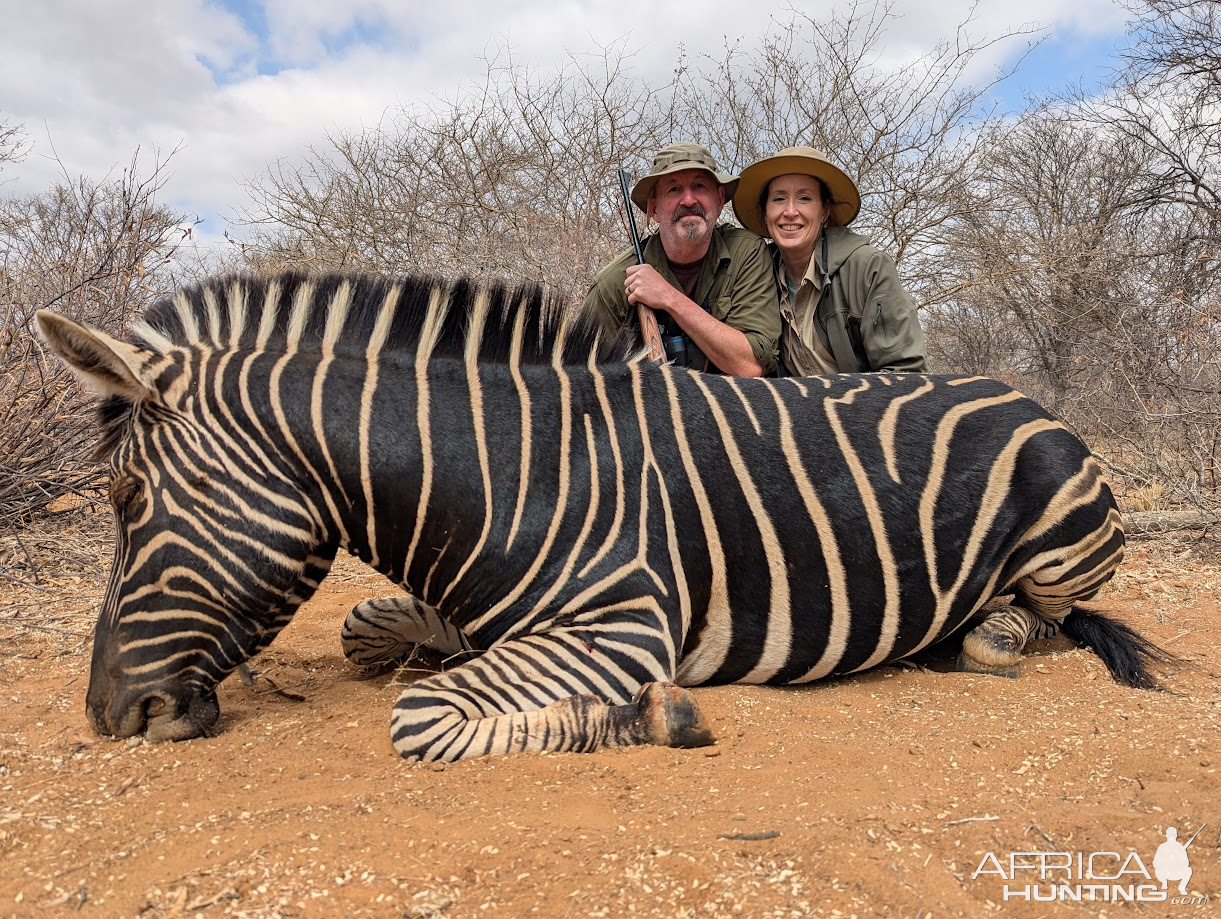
[[880, 795]]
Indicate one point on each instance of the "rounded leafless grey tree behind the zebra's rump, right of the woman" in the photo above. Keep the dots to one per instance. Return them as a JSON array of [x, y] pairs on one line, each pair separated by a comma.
[[1041, 250]]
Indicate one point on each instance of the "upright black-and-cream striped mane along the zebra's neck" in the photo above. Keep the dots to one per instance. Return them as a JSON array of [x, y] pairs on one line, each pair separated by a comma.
[[347, 314]]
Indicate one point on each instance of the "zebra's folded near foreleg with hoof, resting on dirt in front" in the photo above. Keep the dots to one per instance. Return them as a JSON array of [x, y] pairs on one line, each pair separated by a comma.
[[535, 695]]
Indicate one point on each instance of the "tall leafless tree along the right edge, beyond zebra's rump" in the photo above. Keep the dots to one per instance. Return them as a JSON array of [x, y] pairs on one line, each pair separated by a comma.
[[1167, 103]]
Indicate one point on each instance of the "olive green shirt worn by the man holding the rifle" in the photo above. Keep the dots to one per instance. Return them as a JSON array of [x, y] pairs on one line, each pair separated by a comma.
[[737, 285]]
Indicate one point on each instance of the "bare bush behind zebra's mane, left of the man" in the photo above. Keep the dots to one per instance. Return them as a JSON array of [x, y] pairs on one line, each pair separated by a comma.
[[515, 179]]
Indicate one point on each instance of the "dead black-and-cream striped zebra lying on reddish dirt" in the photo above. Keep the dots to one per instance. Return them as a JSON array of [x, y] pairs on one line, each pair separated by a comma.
[[593, 533]]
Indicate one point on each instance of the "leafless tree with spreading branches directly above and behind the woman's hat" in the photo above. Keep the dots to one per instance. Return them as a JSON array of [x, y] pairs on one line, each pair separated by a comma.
[[909, 134]]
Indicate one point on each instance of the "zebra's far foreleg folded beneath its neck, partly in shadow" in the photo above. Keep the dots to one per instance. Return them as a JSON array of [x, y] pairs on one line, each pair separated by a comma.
[[385, 632]]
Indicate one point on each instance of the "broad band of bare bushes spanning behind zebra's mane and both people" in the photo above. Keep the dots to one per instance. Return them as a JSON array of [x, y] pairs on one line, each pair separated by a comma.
[[516, 178]]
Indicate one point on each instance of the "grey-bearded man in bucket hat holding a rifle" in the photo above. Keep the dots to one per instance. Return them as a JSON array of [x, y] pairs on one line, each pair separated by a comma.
[[711, 285]]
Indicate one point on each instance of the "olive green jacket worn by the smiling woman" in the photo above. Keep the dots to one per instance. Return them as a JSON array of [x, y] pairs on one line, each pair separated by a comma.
[[861, 313]]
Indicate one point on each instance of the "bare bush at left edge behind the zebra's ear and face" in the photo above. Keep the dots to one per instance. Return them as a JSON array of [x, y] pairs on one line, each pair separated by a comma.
[[93, 252]]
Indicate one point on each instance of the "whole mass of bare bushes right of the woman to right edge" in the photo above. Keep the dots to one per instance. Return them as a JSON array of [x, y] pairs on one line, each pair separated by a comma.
[[1090, 261]]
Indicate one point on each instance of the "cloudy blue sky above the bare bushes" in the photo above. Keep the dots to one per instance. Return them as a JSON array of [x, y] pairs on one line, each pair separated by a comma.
[[231, 86]]
